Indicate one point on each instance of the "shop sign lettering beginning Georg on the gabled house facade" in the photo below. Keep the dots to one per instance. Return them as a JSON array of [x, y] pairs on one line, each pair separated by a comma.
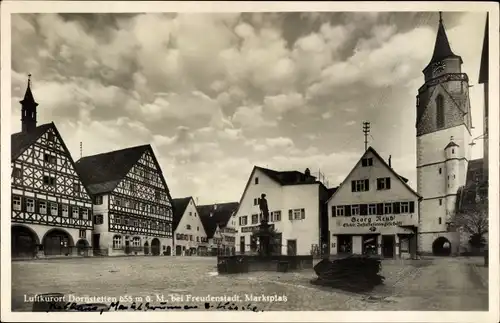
[[375, 223]]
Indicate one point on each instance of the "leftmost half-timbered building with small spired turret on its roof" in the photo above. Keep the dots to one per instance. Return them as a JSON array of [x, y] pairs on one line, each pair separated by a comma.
[[51, 209]]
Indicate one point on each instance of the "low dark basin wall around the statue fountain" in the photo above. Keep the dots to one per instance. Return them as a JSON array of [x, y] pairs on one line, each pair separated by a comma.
[[252, 263]]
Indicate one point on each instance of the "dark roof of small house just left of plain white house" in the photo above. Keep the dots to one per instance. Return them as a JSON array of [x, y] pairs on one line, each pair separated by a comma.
[[214, 215]]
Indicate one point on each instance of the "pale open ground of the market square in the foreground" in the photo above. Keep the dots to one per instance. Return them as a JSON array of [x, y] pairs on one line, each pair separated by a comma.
[[433, 284]]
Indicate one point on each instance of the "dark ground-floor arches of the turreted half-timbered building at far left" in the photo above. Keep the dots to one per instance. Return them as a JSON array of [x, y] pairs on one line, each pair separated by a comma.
[[56, 242]]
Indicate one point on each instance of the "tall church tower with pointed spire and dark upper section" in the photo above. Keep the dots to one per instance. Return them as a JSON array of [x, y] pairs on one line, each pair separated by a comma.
[[443, 151]]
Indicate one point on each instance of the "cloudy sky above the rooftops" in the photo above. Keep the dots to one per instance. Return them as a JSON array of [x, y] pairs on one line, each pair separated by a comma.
[[215, 94]]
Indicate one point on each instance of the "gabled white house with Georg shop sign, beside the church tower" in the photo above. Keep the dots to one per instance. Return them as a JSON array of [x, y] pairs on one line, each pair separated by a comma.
[[373, 211]]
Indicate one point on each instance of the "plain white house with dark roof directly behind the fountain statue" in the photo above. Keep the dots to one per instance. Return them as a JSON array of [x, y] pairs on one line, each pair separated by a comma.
[[294, 209]]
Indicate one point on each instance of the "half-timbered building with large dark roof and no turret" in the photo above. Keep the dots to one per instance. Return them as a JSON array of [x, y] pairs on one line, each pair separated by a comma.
[[132, 202]]
